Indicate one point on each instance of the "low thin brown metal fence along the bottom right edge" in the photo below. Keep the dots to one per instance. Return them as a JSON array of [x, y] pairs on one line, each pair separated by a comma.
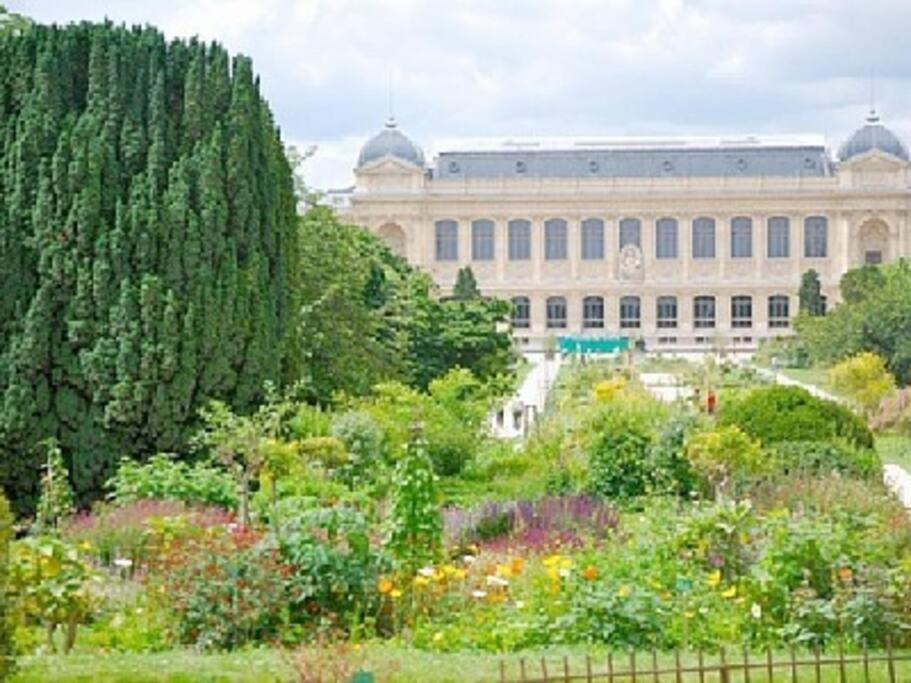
[[881, 667]]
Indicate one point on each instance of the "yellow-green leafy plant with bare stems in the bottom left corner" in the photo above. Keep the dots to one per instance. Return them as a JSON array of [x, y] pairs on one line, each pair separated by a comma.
[[49, 586]]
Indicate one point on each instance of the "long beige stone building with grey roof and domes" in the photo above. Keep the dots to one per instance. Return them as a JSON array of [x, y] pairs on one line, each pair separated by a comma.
[[682, 243]]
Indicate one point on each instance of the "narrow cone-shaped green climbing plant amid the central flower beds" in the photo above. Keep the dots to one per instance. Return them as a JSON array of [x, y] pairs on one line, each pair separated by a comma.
[[415, 525]]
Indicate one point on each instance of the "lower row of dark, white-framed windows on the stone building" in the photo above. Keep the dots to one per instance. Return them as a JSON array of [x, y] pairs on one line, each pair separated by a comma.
[[666, 307]]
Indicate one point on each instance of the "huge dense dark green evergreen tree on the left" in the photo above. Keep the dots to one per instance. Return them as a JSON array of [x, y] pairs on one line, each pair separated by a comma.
[[148, 242]]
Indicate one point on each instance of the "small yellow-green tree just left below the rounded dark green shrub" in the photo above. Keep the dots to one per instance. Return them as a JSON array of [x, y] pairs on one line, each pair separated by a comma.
[[724, 456]]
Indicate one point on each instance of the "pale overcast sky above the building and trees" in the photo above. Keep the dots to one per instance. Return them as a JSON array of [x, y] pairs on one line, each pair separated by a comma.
[[559, 68]]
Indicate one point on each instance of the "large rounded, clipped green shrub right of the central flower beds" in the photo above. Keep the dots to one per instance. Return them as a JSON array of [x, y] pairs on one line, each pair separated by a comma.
[[786, 413]]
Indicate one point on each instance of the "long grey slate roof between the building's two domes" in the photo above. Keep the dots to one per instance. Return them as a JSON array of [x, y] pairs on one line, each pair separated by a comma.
[[747, 161]]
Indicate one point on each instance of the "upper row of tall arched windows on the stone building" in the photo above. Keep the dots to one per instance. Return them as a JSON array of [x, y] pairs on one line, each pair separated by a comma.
[[816, 229]]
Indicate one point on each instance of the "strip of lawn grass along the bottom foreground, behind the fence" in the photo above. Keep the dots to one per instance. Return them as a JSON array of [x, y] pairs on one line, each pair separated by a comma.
[[397, 664]]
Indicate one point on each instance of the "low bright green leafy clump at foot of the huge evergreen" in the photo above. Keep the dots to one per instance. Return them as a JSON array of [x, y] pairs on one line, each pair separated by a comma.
[[166, 478]]
